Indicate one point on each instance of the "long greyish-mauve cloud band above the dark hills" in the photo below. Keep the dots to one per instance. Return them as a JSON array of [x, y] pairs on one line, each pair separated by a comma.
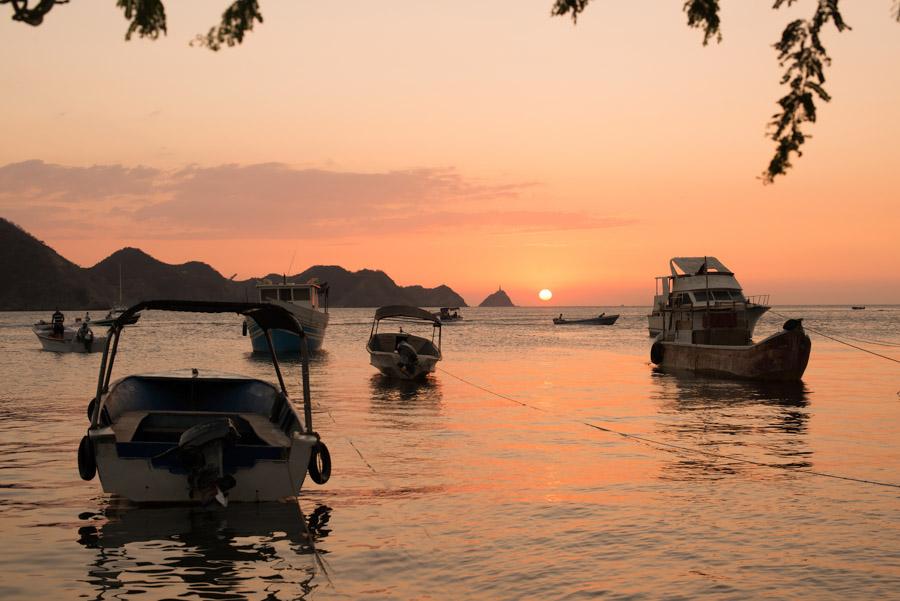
[[269, 200]]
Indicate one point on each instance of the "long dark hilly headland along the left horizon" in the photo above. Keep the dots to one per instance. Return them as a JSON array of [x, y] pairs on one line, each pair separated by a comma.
[[36, 277]]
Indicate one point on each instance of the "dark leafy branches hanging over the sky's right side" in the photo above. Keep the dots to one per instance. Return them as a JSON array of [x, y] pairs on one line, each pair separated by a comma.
[[800, 53]]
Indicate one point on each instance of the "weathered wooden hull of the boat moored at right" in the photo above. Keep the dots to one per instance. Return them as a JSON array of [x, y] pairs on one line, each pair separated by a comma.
[[780, 357]]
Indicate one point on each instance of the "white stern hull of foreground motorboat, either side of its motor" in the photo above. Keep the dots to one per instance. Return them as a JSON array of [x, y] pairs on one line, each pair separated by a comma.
[[138, 480]]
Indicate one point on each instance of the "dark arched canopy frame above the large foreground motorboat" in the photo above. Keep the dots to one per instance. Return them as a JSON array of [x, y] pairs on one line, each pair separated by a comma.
[[268, 316]]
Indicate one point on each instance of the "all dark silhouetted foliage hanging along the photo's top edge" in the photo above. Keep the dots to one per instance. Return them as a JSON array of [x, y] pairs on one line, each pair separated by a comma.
[[800, 50]]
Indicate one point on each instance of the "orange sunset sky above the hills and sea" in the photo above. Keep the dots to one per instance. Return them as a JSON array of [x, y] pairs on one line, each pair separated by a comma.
[[466, 143]]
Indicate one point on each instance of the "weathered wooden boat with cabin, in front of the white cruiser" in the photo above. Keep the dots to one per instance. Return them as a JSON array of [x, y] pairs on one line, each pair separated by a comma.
[[713, 337]]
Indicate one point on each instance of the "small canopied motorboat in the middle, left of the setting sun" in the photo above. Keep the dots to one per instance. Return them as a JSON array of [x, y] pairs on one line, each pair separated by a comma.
[[401, 354]]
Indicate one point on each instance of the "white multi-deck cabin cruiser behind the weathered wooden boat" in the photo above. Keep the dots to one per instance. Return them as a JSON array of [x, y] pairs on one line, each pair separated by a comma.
[[687, 285]]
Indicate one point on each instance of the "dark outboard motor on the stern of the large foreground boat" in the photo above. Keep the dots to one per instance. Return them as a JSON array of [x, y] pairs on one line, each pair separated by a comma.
[[201, 449]]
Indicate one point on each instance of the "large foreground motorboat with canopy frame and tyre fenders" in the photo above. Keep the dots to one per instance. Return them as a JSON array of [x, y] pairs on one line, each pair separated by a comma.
[[195, 436]]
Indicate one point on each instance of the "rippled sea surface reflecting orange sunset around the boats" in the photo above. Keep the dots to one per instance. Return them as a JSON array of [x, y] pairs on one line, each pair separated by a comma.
[[445, 491]]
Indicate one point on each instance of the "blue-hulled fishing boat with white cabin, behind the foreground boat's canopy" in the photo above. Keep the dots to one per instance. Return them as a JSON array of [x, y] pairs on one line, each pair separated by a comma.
[[308, 303]]
